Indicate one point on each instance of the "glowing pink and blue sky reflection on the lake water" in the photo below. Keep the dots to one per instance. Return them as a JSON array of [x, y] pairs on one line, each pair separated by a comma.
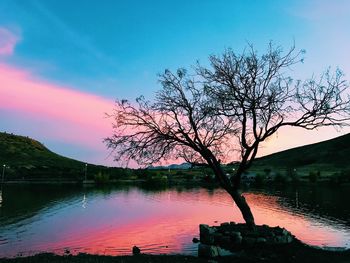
[[162, 222]]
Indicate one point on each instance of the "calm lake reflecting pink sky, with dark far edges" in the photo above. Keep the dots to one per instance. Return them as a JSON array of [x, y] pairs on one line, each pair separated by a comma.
[[112, 220]]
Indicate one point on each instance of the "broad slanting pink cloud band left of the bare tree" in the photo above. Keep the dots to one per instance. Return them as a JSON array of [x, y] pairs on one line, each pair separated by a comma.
[[65, 114]]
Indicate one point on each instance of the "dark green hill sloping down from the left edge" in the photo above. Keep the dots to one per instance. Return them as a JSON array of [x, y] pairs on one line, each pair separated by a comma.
[[28, 159]]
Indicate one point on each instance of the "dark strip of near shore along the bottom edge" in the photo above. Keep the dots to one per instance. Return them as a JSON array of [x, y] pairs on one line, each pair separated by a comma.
[[294, 252]]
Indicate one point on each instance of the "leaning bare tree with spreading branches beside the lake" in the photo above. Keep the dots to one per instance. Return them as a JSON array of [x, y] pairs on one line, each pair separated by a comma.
[[231, 106]]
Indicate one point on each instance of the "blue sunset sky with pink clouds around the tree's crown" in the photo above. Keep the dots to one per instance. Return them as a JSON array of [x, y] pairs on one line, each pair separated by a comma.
[[63, 63]]
